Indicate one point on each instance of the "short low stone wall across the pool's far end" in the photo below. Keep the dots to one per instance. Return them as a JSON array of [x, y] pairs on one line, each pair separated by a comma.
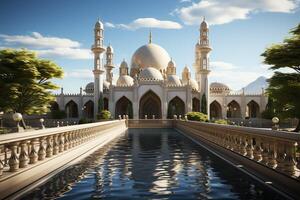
[[150, 123]]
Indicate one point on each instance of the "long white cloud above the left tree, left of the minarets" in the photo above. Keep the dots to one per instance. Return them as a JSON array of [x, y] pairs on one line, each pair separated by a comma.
[[47, 46]]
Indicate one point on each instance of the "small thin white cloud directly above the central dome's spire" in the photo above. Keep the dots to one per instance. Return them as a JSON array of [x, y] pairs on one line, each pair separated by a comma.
[[146, 23]]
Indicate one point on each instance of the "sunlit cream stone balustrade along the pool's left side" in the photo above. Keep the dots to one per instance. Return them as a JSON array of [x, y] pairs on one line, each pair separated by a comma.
[[20, 150]]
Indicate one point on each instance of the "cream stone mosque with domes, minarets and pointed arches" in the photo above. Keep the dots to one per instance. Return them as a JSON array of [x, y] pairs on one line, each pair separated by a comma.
[[150, 87]]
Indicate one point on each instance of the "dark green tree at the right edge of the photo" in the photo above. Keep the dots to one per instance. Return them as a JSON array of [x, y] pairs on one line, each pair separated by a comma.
[[284, 87]]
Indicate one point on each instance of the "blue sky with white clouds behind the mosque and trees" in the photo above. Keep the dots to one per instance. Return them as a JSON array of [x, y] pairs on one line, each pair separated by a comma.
[[62, 30]]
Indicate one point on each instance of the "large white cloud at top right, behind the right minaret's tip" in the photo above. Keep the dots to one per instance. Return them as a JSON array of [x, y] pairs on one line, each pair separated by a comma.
[[225, 11]]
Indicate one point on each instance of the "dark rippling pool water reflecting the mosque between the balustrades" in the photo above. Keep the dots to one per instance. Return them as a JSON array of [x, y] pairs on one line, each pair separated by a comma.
[[152, 164]]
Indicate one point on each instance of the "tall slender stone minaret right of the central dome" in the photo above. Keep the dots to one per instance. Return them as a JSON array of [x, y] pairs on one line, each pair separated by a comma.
[[202, 61]]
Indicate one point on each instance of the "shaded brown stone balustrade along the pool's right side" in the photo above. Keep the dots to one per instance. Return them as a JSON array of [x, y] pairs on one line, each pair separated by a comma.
[[274, 149]]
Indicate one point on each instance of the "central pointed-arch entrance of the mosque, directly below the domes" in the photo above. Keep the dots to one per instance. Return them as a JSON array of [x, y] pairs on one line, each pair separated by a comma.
[[150, 105]]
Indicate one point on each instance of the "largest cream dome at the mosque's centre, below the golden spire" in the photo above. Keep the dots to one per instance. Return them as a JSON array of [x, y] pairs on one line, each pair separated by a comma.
[[150, 55]]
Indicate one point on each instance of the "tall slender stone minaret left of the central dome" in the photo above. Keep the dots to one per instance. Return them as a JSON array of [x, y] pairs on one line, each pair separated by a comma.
[[98, 71]]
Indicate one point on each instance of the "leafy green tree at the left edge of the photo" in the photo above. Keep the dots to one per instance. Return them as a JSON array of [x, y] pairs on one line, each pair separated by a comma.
[[25, 82]]
